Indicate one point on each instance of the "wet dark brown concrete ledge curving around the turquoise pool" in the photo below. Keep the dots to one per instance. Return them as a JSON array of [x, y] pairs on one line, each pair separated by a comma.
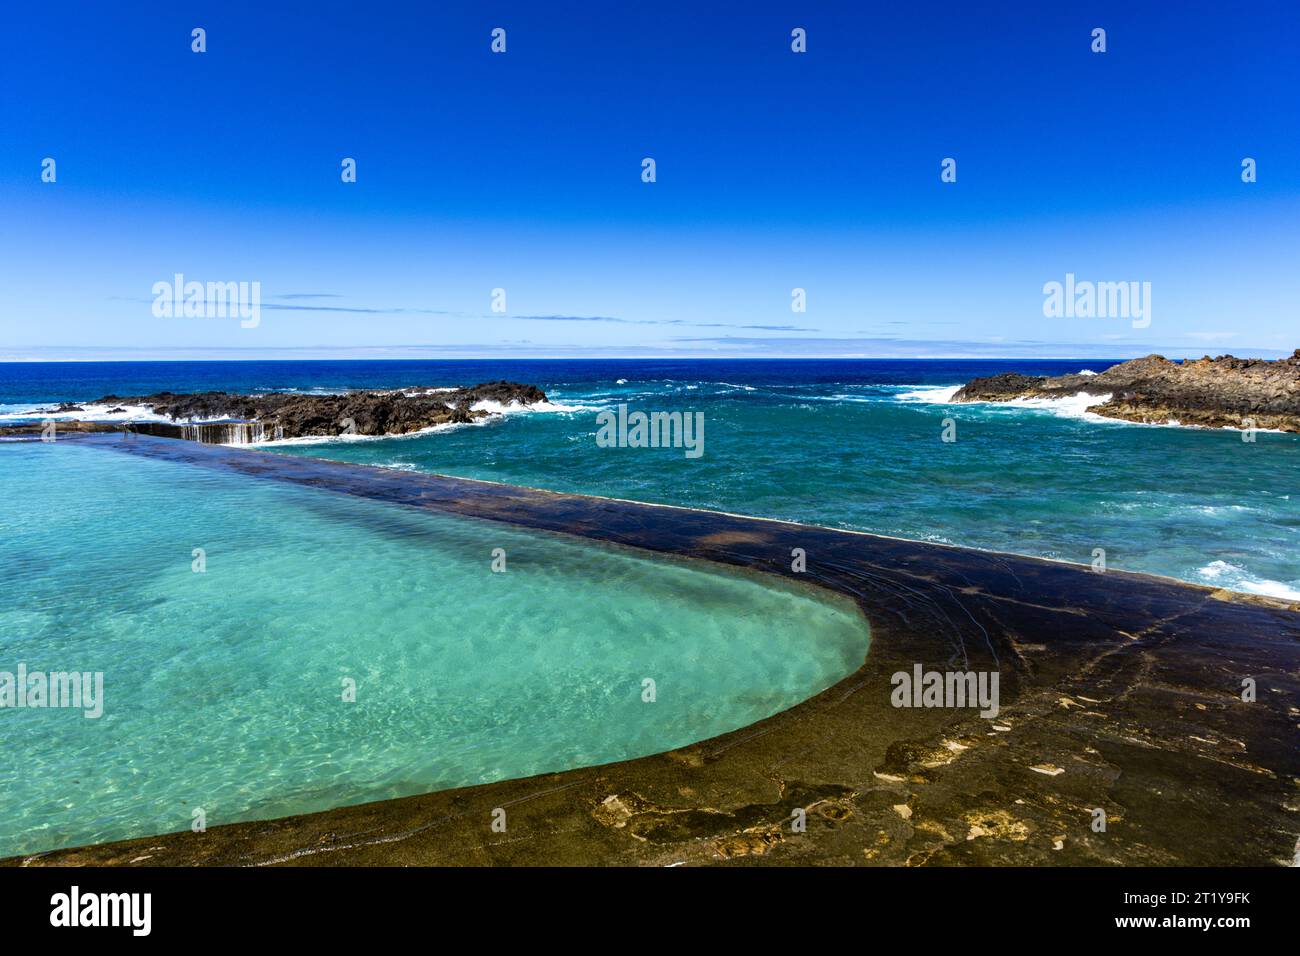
[[1119, 693]]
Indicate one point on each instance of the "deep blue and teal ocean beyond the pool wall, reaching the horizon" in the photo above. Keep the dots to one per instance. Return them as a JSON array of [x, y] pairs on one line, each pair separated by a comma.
[[846, 444]]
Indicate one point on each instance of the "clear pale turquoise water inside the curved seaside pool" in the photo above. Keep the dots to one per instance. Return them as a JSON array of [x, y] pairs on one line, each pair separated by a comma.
[[224, 689]]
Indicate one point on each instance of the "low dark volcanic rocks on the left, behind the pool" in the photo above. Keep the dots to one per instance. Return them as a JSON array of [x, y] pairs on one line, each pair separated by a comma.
[[291, 416]]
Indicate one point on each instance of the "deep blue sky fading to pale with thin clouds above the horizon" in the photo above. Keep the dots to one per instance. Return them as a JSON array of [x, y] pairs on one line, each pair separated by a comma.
[[523, 171]]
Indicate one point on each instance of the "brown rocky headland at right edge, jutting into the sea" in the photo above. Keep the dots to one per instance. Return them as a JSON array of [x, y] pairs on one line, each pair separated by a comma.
[[1215, 393]]
